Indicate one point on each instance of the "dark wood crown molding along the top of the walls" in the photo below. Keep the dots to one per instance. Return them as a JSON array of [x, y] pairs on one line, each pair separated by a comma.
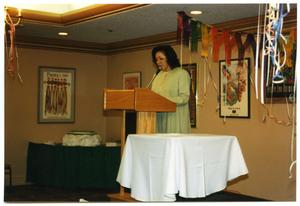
[[247, 25]]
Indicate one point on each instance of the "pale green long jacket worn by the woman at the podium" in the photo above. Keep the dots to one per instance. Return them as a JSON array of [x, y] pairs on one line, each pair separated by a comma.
[[175, 86]]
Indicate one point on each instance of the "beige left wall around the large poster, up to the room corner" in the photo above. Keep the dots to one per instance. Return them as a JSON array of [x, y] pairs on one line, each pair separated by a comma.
[[21, 103]]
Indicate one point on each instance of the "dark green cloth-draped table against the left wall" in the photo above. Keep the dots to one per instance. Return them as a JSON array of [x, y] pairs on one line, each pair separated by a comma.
[[73, 167]]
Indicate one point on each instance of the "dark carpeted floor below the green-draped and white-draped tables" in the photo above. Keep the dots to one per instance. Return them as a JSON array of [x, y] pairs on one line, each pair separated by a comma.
[[33, 193]]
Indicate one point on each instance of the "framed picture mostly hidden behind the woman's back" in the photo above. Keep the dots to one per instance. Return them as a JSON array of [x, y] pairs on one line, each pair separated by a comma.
[[192, 69]]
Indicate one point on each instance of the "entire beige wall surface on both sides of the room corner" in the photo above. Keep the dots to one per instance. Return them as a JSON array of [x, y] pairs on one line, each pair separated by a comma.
[[266, 146]]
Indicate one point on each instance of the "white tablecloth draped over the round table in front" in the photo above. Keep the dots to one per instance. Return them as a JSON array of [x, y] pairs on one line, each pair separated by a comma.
[[157, 166]]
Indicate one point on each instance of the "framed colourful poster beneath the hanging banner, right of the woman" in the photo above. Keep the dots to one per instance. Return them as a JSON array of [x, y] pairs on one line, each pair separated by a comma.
[[234, 88]]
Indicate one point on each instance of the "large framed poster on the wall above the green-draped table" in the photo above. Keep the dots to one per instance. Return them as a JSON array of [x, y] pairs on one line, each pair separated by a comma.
[[56, 95]]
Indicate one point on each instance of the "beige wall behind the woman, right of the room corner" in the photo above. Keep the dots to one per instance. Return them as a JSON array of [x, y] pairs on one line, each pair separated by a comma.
[[266, 146]]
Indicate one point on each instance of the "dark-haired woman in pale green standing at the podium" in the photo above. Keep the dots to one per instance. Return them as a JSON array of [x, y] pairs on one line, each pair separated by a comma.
[[173, 83]]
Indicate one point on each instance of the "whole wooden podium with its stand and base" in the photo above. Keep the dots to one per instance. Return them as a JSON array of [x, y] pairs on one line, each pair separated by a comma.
[[146, 103]]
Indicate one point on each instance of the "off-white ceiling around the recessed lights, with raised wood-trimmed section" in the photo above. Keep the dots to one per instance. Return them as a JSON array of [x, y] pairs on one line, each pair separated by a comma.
[[125, 24]]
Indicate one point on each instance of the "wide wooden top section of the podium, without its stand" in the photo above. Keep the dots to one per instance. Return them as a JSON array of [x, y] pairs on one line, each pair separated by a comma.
[[138, 99]]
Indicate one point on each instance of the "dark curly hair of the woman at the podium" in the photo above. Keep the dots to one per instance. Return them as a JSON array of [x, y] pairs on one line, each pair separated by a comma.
[[170, 54]]
